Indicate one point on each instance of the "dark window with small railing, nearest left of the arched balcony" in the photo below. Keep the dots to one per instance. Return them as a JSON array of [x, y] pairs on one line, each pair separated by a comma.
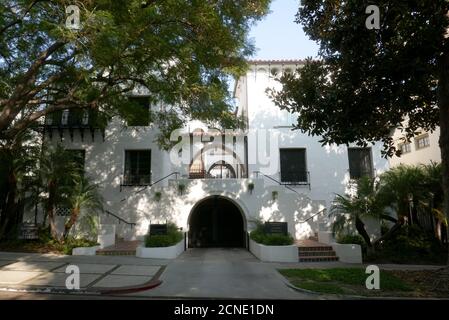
[[137, 167]]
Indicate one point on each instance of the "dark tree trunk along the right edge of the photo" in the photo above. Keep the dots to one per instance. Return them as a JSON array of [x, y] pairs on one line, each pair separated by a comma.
[[443, 104]]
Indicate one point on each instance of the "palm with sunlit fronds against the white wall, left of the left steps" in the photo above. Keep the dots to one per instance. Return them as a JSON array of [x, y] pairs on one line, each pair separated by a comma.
[[83, 197]]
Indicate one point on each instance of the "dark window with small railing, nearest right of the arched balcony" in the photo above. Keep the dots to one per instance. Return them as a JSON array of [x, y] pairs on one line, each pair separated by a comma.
[[293, 166]]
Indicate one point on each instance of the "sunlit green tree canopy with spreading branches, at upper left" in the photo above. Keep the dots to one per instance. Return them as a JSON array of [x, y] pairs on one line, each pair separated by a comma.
[[179, 52]]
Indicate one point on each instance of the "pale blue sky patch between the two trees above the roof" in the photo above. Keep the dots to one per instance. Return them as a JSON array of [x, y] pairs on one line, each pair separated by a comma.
[[279, 37]]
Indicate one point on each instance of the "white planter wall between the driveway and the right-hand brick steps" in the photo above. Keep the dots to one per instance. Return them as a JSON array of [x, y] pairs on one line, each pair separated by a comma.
[[274, 253]]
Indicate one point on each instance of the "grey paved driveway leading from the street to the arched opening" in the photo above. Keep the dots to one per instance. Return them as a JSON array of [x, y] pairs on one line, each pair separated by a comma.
[[222, 273]]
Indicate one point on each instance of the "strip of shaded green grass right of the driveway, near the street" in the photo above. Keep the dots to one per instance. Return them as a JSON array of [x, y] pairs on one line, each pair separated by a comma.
[[344, 281]]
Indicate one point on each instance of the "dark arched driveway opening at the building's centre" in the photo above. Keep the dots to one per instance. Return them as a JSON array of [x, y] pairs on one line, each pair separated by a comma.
[[216, 222]]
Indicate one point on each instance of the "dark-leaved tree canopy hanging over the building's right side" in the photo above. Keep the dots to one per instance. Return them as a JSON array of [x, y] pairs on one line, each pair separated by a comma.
[[367, 82]]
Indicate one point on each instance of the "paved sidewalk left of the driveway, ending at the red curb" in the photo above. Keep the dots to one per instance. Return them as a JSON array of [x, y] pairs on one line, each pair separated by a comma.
[[36, 272]]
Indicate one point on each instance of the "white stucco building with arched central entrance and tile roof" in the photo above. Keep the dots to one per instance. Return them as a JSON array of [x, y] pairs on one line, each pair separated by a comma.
[[217, 185]]
